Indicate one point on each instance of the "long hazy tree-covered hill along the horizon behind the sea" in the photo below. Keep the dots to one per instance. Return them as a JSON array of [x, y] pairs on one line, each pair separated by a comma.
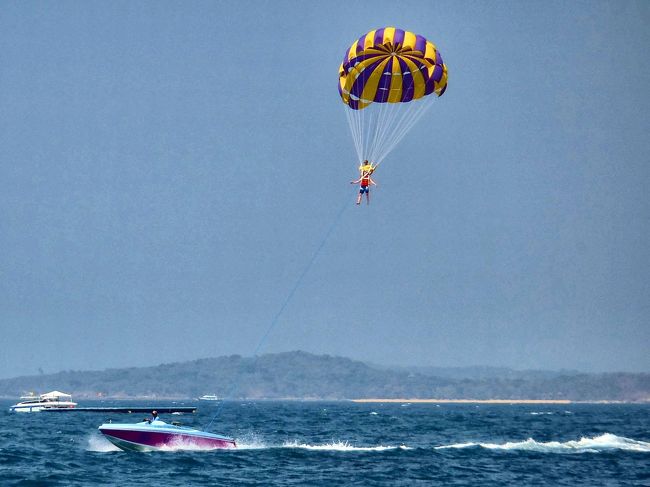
[[303, 375]]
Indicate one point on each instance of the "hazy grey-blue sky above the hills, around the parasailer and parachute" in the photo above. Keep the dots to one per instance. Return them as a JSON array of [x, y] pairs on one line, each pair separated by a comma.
[[168, 169]]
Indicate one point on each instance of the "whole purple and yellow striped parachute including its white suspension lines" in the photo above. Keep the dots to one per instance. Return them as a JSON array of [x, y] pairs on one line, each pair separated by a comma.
[[387, 81]]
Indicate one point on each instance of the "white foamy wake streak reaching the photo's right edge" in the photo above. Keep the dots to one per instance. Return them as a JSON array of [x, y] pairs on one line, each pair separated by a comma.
[[604, 442]]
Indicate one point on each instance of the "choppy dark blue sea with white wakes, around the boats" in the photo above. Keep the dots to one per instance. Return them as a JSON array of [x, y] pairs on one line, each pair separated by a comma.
[[343, 443]]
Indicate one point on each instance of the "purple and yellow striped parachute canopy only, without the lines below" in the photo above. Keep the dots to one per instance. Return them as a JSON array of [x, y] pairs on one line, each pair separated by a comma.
[[390, 65]]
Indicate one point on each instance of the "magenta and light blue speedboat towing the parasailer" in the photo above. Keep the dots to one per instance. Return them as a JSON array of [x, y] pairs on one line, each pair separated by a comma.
[[158, 435]]
